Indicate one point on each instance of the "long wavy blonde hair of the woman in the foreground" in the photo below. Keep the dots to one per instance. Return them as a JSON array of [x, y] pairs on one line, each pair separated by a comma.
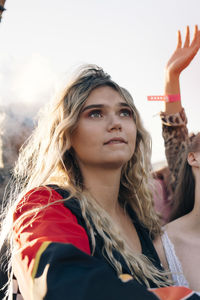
[[47, 158]]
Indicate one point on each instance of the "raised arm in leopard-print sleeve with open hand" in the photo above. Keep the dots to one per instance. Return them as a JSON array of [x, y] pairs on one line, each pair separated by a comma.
[[173, 118]]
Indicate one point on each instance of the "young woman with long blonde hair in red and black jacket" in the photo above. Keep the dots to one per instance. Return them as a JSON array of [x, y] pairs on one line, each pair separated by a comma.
[[83, 212]]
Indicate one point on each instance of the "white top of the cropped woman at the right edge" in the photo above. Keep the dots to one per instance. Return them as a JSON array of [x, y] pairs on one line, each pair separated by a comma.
[[174, 262]]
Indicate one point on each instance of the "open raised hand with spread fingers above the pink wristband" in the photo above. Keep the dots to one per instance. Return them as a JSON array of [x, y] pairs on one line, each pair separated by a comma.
[[183, 55]]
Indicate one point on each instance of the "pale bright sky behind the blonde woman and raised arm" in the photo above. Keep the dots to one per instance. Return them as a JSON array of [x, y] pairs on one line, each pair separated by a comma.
[[41, 41]]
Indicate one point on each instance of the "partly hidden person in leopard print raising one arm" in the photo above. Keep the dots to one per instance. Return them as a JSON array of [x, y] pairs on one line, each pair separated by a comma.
[[174, 123]]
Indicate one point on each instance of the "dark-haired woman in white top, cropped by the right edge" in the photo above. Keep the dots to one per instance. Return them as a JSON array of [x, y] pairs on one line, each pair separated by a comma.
[[180, 246]]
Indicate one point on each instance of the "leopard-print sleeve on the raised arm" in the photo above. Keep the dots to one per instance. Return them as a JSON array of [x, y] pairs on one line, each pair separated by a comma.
[[176, 139]]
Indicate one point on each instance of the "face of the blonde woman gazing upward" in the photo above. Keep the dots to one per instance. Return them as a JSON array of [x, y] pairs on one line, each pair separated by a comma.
[[106, 132]]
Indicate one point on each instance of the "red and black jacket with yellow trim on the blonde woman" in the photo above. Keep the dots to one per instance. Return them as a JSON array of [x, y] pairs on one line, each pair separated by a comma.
[[54, 260]]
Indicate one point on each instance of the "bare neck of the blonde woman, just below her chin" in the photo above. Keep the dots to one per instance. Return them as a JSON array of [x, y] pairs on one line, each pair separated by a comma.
[[103, 185]]
